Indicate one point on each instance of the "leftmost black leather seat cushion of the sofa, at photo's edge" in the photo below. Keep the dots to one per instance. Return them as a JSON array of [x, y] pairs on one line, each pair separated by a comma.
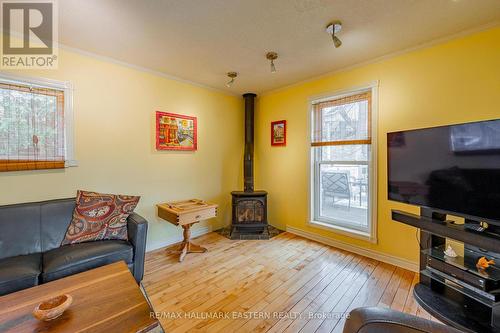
[[21, 272]]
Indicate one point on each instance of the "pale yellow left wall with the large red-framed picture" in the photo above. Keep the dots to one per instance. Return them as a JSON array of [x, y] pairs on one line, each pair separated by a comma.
[[114, 109]]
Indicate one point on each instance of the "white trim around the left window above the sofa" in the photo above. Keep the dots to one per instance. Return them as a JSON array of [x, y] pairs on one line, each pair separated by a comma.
[[67, 87]]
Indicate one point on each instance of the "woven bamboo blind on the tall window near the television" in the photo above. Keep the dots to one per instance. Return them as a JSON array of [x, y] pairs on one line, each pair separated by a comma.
[[342, 121]]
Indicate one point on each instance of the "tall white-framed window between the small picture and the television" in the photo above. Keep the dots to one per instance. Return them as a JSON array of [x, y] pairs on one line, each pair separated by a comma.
[[342, 163]]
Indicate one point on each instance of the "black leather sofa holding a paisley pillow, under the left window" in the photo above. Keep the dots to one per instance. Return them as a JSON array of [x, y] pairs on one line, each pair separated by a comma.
[[30, 251]]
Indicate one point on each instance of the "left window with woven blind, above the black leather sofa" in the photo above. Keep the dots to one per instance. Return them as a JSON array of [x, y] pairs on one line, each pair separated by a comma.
[[33, 126]]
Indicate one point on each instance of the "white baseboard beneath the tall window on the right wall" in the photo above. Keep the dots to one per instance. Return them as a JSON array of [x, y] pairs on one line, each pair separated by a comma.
[[387, 258]]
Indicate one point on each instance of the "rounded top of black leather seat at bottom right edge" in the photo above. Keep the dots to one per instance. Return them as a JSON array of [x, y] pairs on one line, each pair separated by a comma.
[[382, 320]]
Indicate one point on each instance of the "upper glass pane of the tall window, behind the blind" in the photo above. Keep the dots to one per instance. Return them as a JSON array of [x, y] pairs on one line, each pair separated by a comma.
[[345, 122]]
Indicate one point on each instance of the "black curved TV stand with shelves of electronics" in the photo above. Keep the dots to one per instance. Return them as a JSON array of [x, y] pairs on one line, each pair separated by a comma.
[[451, 299]]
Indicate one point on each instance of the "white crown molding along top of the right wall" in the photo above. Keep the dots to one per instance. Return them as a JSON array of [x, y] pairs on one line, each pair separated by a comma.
[[388, 56]]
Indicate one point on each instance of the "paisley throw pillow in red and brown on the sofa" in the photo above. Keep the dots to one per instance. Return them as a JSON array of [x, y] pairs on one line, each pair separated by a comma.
[[99, 216]]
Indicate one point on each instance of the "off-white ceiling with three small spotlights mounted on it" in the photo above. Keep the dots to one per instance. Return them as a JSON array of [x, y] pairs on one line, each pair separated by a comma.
[[201, 40]]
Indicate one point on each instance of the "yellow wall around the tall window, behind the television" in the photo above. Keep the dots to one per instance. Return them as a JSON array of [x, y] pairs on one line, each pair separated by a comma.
[[457, 81]]
